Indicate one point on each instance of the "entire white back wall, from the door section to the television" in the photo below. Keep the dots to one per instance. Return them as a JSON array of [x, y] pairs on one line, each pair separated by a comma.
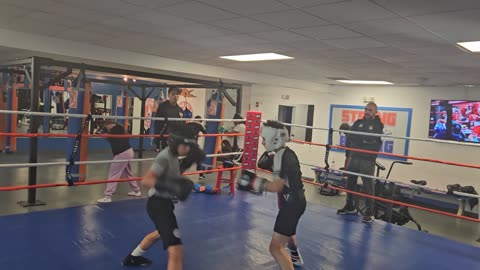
[[417, 98]]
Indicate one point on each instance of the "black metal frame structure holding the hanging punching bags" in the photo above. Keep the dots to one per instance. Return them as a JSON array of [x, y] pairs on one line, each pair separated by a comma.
[[32, 68]]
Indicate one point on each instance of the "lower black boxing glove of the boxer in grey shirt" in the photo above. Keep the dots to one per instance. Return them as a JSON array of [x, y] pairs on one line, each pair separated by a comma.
[[179, 187]]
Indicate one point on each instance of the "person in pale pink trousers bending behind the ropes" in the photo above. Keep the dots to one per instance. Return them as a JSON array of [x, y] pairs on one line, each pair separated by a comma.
[[121, 150]]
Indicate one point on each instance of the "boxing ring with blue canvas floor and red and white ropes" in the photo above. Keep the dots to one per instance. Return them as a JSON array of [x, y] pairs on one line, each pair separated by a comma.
[[219, 232]]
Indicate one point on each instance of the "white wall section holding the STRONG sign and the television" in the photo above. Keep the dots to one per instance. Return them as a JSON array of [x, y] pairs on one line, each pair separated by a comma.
[[418, 98]]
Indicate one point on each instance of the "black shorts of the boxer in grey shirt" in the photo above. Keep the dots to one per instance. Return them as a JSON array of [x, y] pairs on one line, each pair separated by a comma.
[[161, 213]]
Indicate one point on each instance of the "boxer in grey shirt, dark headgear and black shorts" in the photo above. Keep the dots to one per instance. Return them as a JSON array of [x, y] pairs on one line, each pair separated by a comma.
[[165, 183]]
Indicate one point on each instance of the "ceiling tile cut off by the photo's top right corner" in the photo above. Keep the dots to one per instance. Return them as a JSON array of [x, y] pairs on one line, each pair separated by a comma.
[[414, 7]]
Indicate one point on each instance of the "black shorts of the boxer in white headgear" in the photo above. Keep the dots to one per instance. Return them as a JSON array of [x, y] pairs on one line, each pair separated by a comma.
[[289, 215]]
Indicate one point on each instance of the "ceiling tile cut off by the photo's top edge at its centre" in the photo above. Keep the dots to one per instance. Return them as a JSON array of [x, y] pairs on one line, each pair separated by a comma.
[[248, 7]]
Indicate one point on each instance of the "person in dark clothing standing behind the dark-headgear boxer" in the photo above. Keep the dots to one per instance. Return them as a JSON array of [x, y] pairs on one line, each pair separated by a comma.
[[169, 109]]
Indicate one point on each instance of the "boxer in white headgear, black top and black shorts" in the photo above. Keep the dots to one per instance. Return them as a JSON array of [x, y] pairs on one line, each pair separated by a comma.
[[287, 183]]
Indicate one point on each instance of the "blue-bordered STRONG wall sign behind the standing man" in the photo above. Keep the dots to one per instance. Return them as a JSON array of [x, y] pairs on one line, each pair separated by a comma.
[[396, 122]]
